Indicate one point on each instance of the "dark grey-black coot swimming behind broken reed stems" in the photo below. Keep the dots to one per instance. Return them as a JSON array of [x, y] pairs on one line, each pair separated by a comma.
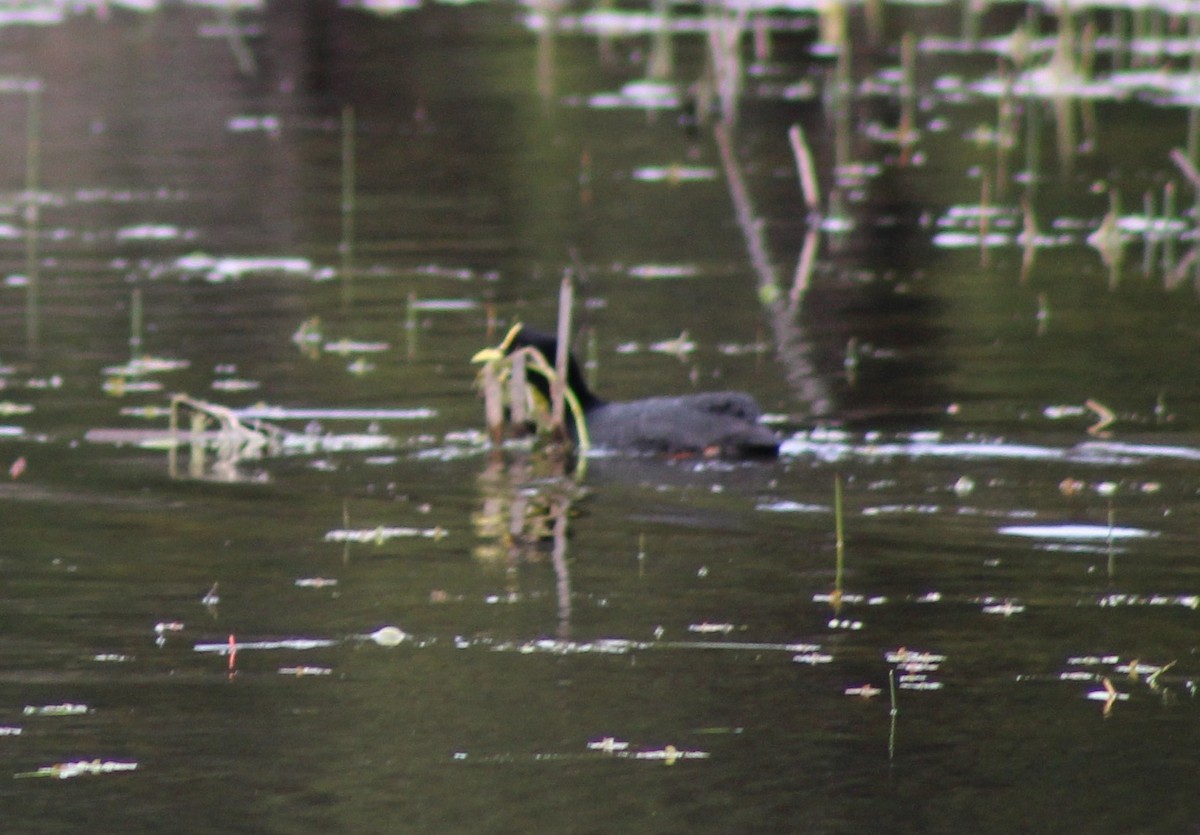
[[723, 424]]
